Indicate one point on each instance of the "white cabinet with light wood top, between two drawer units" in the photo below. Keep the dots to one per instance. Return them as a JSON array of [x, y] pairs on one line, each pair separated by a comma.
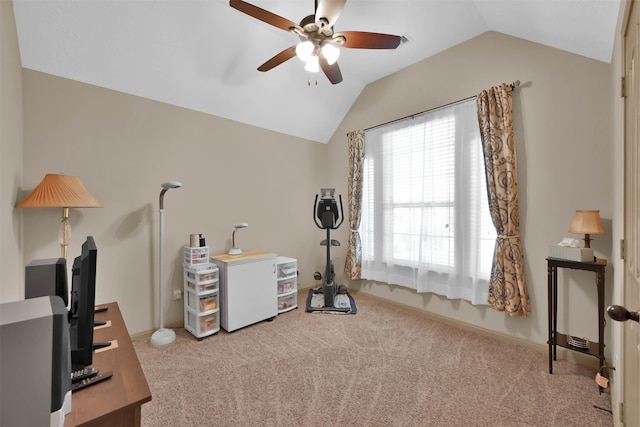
[[248, 291]]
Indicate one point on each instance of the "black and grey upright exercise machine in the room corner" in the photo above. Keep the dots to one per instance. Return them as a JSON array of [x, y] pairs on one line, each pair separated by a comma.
[[326, 217]]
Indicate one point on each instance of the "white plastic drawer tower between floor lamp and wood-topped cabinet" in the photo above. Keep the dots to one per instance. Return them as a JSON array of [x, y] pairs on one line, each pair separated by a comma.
[[201, 299]]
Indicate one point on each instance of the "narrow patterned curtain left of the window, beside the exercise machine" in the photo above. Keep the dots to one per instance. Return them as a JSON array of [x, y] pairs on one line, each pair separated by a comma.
[[353, 263]]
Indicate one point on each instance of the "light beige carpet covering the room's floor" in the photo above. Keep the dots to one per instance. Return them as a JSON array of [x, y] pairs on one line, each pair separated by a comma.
[[384, 366]]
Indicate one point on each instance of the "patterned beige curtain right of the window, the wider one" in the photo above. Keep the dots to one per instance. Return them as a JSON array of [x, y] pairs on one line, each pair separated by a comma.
[[507, 288]]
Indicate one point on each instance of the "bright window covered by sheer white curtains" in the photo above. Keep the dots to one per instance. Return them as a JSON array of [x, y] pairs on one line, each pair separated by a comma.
[[425, 217]]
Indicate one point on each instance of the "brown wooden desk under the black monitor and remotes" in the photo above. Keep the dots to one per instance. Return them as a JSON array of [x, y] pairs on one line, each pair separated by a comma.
[[118, 400]]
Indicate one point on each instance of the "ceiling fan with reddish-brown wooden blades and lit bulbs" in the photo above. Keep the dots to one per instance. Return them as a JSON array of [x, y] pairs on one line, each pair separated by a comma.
[[318, 45]]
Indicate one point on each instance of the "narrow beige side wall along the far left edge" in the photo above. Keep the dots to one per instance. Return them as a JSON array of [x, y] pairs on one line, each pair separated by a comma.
[[11, 267]]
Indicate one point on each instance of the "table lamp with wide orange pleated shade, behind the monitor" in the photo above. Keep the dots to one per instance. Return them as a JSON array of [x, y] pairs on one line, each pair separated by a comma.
[[61, 191]]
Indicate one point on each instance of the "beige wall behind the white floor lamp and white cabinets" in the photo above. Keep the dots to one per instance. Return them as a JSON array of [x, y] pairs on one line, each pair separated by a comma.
[[123, 147]]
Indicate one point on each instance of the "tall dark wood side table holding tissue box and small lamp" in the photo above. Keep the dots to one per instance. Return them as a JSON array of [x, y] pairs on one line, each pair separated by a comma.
[[556, 338]]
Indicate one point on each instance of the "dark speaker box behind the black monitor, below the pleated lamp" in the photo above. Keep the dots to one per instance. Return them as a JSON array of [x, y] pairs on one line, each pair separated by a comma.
[[46, 277]]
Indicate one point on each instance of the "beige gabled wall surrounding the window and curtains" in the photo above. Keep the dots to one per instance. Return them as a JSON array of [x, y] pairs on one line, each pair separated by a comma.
[[563, 129]]
